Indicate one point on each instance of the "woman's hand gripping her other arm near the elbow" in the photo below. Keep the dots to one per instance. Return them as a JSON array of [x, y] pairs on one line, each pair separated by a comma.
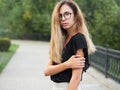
[[76, 61]]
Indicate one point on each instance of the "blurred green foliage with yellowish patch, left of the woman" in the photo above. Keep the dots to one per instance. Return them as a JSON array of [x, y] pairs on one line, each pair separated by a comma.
[[27, 16]]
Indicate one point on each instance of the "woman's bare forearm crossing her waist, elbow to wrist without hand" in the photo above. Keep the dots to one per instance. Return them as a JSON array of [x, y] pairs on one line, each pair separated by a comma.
[[54, 69]]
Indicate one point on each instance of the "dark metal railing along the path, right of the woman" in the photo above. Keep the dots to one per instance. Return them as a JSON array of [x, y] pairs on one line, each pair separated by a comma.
[[107, 61]]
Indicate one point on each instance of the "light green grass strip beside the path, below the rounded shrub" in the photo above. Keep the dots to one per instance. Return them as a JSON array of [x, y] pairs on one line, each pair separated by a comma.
[[6, 56]]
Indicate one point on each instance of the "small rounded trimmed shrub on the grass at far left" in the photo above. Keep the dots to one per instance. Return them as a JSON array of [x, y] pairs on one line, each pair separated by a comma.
[[4, 44]]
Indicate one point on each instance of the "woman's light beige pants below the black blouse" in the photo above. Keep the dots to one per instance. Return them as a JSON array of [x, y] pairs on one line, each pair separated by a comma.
[[61, 86]]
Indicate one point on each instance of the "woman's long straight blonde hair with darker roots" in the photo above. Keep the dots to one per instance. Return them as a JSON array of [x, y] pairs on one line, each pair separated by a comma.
[[57, 35]]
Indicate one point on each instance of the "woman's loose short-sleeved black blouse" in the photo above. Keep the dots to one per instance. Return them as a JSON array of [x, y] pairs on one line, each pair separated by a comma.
[[76, 42]]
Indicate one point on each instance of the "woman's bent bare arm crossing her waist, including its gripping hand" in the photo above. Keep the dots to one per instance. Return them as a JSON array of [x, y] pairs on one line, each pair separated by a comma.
[[73, 62]]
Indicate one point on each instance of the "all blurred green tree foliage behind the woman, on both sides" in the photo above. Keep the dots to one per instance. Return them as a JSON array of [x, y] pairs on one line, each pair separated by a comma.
[[34, 16]]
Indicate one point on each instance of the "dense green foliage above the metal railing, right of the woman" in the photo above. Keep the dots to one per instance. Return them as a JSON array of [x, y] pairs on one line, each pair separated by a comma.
[[103, 20]]
